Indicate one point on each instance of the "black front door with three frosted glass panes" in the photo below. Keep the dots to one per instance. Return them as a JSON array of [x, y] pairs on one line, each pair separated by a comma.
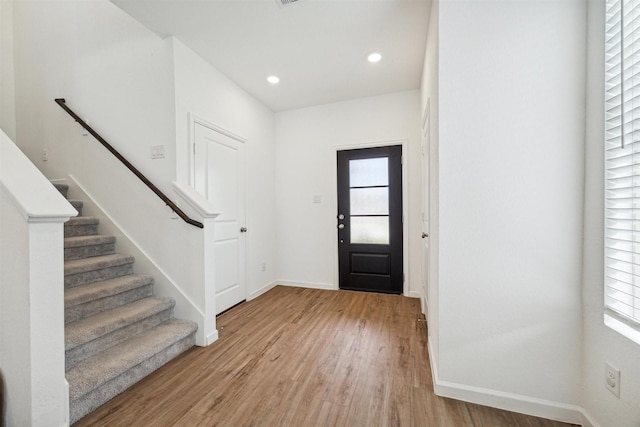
[[370, 219]]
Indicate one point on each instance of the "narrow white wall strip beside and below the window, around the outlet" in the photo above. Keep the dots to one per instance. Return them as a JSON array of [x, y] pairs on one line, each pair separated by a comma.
[[601, 344]]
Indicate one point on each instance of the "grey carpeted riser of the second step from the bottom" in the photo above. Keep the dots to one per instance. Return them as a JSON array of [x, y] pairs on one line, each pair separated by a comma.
[[91, 348]]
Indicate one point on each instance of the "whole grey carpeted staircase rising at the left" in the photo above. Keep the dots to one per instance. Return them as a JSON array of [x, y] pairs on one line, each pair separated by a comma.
[[116, 331]]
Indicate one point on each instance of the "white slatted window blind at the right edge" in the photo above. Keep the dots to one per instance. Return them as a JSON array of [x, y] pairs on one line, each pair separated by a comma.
[[622, 159]]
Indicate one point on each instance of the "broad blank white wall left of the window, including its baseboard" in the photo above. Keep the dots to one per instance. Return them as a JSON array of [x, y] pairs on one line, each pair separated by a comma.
[[511, 132]]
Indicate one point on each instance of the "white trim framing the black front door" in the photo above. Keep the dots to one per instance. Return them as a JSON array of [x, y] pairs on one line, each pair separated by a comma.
[[405, 205]]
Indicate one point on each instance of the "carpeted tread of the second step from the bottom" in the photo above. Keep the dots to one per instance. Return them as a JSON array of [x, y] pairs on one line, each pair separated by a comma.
[[91, 328]]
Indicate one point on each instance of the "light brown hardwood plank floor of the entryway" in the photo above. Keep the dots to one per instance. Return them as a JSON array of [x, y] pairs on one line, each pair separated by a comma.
[[302, 357]]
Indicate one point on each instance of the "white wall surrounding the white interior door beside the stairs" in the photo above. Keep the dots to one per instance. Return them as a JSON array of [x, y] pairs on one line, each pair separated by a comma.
[[203, 91]]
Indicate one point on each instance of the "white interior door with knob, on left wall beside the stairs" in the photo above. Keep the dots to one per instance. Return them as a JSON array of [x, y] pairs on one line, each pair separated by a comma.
[[219, 174]]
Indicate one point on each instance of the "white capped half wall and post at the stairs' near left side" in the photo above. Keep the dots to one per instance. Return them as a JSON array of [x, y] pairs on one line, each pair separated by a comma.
[[32, 360]]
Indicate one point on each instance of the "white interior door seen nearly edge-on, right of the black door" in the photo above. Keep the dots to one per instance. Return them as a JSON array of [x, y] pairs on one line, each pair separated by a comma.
[[425, 211]]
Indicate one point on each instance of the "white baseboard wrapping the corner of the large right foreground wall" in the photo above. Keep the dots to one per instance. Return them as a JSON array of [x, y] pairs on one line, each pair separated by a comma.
[[509, 401]]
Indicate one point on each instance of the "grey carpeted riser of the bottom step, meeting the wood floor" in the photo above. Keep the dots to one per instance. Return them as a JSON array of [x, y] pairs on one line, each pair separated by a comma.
[[85, 404]]
